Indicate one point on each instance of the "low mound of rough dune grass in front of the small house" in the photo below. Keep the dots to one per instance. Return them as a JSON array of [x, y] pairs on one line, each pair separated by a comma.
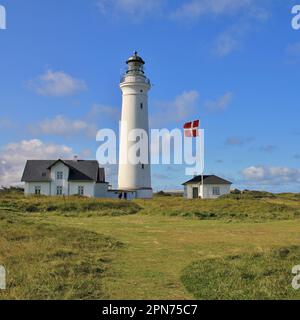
[[231, 208]]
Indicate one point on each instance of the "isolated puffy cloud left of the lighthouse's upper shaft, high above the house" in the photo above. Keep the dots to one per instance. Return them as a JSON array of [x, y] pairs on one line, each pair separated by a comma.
[[53, 83]]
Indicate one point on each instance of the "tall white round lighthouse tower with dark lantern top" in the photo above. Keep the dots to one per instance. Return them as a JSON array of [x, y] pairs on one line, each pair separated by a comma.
[[135, 85]]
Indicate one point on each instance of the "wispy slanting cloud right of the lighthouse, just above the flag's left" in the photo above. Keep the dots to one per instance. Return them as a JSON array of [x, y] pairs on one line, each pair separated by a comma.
[[180, 109]]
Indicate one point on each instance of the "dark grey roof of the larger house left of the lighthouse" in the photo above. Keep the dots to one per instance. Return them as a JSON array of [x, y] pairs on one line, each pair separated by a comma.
[[80, 170]]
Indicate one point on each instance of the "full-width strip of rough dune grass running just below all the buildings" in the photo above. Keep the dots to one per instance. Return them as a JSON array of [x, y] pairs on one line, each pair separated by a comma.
[[252, 206]]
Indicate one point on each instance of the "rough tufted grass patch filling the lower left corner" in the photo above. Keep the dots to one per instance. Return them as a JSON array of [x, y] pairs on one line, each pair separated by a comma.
[[49, 262]]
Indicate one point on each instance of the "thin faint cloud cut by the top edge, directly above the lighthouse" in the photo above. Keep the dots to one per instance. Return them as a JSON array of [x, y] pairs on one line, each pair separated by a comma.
[[134, 8]]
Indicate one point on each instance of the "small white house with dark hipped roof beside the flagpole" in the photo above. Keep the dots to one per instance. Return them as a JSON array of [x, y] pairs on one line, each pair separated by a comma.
[[213, 187]]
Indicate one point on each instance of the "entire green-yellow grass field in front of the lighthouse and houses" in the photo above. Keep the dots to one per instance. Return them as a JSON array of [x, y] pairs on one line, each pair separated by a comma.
[[238, 247]]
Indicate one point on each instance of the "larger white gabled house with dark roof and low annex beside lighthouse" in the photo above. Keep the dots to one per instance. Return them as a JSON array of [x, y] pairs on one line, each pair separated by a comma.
[[69, 177]]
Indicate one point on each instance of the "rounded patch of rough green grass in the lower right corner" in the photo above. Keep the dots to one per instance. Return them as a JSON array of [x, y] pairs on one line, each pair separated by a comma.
[[264, 275]]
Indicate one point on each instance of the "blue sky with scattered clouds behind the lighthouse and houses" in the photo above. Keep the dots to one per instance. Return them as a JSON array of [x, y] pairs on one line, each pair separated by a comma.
[[233, 64]]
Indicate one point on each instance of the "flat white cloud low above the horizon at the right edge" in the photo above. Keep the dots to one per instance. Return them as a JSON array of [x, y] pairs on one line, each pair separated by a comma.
[[263, 175]]
